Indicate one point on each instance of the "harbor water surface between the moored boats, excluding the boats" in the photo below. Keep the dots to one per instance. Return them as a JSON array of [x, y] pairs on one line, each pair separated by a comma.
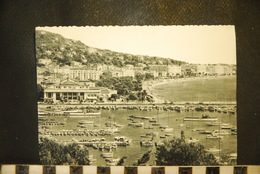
[[133, 152]]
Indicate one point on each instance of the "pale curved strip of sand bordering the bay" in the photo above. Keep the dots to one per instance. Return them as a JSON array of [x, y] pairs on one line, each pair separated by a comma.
[[150, 85]]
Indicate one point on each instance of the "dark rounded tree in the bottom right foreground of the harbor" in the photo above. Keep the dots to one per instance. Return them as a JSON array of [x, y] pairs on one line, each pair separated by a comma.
[[179, 152]]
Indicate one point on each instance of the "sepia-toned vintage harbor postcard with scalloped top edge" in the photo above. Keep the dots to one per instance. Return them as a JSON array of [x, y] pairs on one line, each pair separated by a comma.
[[137, 95]]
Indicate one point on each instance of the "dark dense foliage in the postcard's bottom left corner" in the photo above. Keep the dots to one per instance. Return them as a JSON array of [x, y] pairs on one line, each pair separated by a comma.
[[53, 153]]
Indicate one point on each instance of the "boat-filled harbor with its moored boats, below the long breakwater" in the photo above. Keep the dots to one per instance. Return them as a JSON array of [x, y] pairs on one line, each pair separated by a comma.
[[131, 130]]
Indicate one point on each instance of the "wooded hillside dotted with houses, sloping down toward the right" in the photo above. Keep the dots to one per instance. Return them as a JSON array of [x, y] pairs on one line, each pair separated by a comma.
[[64, 51]]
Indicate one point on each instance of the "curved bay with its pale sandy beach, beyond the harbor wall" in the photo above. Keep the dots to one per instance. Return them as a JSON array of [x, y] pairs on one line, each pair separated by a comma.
[[184, 90]]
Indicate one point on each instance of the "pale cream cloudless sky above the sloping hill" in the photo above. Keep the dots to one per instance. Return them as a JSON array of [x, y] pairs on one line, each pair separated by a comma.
[[192, 44]]
